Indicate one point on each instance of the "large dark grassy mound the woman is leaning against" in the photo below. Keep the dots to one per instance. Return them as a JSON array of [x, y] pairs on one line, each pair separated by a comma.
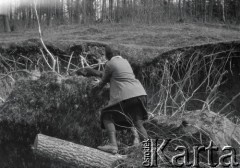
[[59, 106]]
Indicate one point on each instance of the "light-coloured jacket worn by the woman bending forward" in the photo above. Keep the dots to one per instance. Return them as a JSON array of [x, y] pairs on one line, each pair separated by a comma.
[[123, 84]]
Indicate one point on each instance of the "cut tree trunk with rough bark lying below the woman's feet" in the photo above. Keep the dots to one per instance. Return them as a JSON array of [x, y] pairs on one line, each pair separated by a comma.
[[72, 154]]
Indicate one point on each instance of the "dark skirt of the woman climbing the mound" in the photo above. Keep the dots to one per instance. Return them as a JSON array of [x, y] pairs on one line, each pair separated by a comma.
[[124, 113]]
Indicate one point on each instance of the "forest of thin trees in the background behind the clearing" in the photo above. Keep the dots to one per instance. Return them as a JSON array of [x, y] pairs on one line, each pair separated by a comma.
[[17, 14]]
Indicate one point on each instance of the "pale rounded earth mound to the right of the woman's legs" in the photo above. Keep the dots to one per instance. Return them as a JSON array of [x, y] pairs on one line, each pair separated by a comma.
[[215, 126]]
